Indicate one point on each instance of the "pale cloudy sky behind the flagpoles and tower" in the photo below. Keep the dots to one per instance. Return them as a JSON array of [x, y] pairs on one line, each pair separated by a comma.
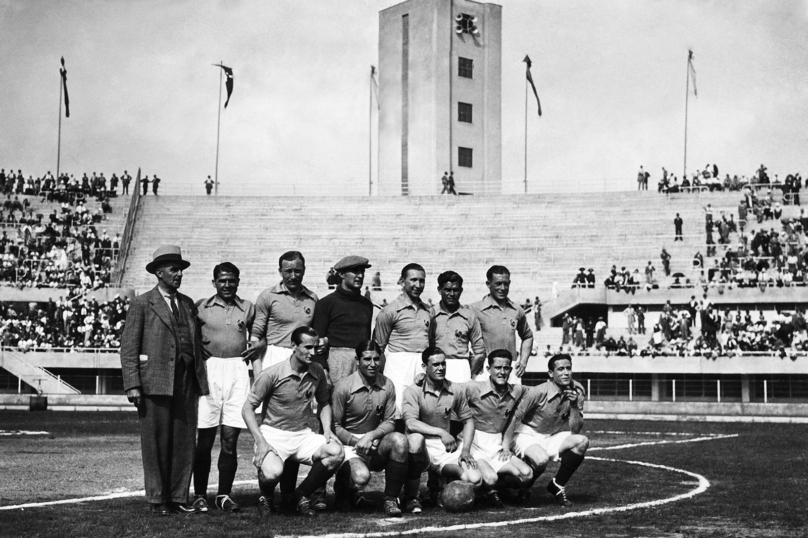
[[611, 77]]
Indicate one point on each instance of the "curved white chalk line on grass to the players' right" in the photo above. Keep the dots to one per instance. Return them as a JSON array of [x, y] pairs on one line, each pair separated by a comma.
[[702, 487]]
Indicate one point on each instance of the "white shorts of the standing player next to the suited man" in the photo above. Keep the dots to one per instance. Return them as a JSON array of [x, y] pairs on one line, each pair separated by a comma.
[[229, 384]]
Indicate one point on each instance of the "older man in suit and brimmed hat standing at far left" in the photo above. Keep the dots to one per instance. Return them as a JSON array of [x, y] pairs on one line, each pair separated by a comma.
[[163, 373]]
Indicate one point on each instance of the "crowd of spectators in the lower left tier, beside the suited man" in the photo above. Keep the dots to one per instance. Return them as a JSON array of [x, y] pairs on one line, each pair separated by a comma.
[[69, 323]]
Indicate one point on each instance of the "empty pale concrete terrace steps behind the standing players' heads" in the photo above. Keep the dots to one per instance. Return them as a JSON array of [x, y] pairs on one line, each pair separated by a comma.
[[542, 239]]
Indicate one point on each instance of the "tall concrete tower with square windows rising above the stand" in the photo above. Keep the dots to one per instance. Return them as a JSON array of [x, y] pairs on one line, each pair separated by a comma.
[[440, 85]]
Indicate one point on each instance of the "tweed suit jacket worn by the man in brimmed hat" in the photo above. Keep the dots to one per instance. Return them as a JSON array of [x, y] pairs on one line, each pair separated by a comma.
[[149, 345]]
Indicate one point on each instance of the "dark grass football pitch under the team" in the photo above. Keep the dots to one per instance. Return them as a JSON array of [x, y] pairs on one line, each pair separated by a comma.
[[758, 480]]
